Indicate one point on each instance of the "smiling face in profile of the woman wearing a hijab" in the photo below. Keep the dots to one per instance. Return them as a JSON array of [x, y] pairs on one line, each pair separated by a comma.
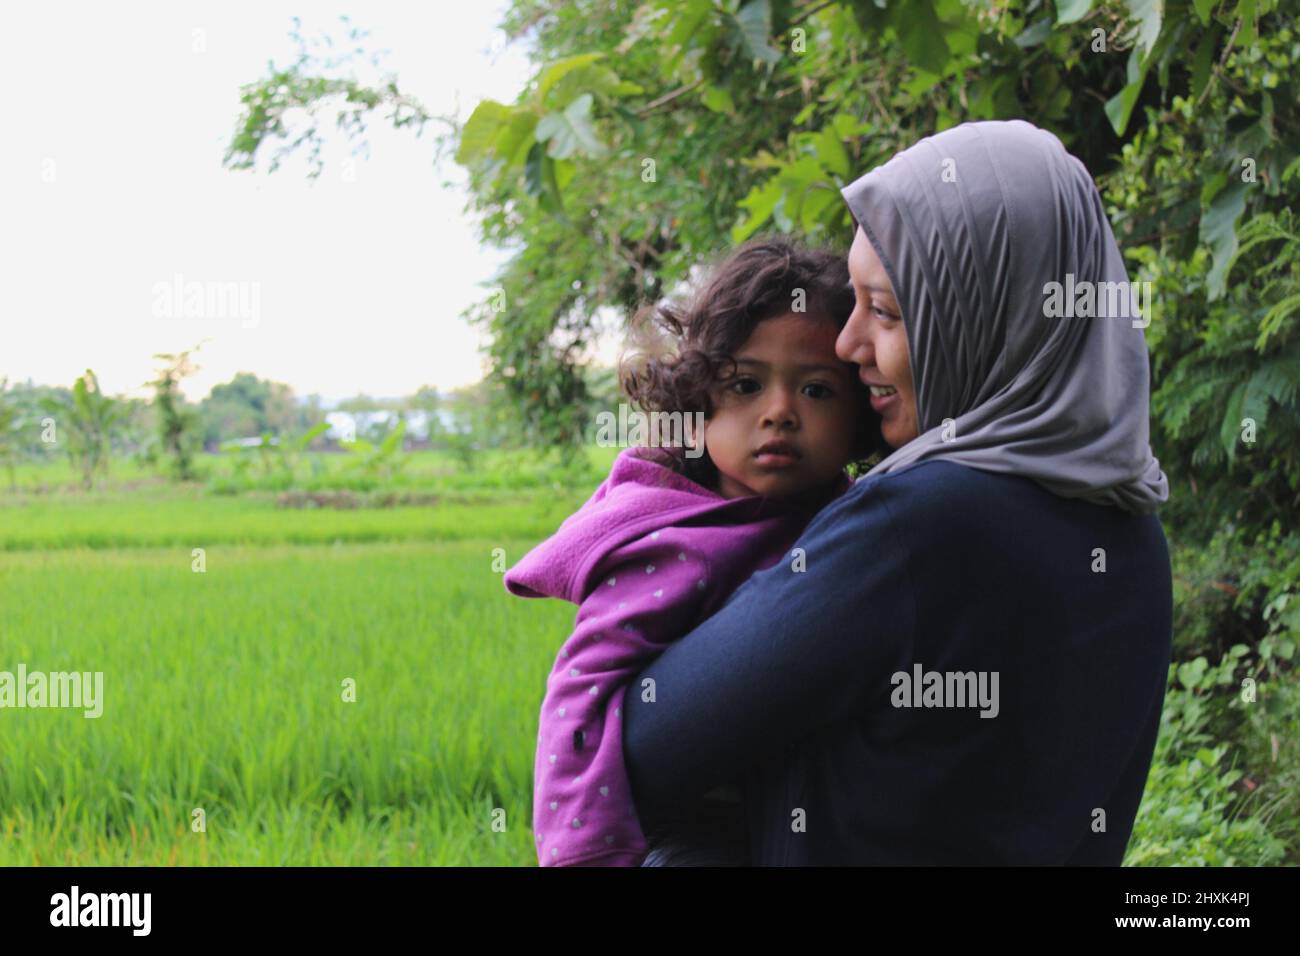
[[876, 340]]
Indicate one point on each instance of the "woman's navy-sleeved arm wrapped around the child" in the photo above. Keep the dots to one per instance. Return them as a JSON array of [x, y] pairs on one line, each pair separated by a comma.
[[791, 652]]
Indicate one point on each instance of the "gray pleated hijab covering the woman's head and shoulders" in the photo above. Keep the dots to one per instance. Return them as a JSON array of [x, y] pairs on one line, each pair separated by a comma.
[[972, 226]]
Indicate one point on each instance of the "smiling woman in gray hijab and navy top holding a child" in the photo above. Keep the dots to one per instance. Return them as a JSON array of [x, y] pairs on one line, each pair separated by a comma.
[[964, 660]]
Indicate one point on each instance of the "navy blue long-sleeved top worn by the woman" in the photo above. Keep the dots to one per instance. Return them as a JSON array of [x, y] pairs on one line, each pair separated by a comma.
[[792, 687]]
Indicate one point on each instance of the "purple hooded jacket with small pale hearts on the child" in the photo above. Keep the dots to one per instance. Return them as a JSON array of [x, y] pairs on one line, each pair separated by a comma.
[[647, 559]]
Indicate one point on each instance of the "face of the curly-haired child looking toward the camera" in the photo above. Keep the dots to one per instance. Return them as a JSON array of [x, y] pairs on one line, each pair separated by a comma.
[[790, 387]]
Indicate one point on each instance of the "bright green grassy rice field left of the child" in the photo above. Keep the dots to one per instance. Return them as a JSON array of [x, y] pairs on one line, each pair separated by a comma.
[[224, 690]]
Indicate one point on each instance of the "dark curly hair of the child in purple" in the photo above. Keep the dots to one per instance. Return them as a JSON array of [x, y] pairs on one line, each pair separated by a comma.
[[674, 367]]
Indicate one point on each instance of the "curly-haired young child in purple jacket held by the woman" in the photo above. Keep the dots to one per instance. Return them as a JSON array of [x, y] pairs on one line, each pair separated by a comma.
[[673, 533]]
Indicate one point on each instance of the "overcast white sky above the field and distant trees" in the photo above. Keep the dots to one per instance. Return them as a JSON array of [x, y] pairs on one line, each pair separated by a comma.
[[111, 183]]
